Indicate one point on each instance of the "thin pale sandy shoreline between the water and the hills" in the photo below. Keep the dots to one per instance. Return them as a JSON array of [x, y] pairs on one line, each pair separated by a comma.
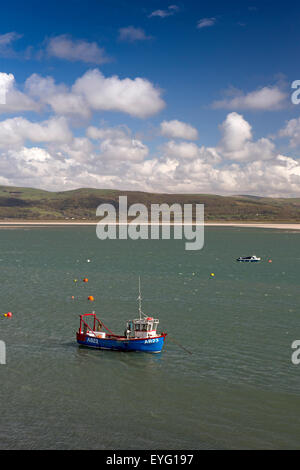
[[23, 223]]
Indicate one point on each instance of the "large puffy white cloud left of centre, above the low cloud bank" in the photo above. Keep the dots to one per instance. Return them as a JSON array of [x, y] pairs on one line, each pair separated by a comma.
[[95, 92]]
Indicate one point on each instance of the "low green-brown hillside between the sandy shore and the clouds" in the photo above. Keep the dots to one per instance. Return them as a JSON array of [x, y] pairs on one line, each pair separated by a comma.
[[36, 204]]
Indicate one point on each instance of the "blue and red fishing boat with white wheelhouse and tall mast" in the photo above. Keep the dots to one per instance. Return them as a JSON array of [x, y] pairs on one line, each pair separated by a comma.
[[139, 335]]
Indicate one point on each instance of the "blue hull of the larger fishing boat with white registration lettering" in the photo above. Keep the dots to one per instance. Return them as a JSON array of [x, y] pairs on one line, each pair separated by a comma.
[[151, 345]]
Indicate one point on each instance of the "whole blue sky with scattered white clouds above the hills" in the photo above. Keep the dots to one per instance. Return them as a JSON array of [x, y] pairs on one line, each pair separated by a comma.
[[158, 96]]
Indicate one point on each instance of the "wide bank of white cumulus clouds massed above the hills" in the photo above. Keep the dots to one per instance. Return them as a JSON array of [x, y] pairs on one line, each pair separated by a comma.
[[46, 154]]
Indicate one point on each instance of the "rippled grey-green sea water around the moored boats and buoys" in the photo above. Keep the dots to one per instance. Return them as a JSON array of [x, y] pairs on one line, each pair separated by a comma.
[[237, 390]]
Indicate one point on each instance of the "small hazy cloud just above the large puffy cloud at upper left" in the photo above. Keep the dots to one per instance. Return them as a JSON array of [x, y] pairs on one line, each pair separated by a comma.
[[64, 47]]
